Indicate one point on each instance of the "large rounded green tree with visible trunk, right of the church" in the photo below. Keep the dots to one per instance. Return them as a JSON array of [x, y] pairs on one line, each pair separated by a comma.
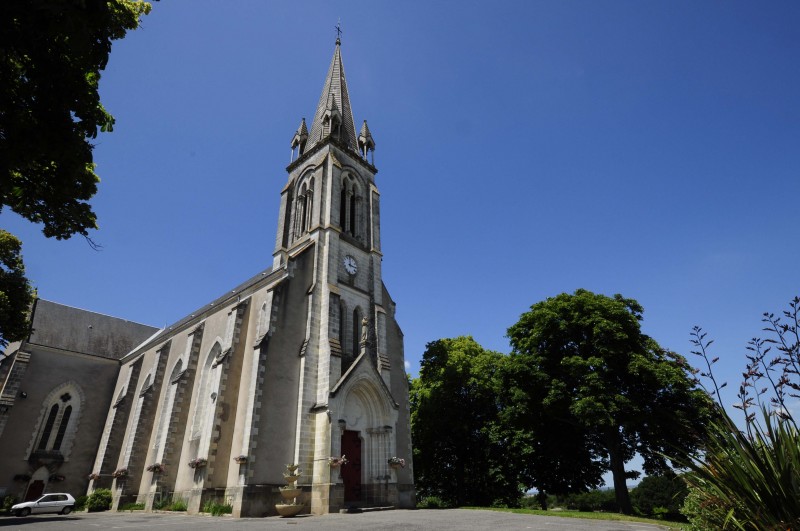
[[602, 389]]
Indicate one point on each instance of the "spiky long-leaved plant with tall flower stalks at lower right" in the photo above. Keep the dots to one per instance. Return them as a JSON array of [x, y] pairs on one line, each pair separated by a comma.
[[749, 479]]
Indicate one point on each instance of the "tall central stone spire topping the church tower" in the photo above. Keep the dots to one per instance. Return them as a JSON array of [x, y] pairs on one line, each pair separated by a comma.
[[333, 115]]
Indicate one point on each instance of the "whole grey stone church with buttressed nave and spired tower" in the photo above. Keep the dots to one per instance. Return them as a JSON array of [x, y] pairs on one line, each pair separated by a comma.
[[299, 364]]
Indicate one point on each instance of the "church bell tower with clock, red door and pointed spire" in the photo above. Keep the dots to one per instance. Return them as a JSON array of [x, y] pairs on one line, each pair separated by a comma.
[[352, 389]]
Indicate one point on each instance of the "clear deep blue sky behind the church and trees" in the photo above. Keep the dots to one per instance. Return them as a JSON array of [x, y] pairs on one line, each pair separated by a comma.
[[524, 149]]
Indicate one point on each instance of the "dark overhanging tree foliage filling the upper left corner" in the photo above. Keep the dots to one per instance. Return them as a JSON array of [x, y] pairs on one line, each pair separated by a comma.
[[51, 55]]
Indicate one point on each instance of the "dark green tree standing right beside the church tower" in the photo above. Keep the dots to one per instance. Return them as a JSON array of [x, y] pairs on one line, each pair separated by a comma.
[[454, 411]]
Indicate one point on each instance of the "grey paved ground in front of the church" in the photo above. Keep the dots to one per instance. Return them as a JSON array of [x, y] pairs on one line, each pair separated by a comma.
[[419, 520]]
